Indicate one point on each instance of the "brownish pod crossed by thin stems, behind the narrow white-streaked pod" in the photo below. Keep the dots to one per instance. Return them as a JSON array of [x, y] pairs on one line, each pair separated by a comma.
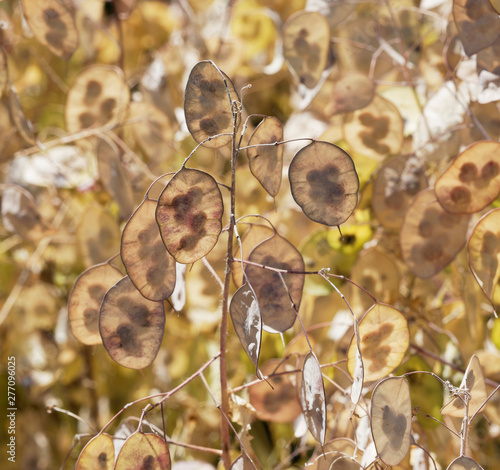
[[273, 297]]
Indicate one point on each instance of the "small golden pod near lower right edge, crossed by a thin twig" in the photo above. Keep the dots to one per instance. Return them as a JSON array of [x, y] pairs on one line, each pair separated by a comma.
[[473, 382]]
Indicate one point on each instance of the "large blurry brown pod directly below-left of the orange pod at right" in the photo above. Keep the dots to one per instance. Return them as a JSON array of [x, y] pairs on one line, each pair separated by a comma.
[[431, 237]]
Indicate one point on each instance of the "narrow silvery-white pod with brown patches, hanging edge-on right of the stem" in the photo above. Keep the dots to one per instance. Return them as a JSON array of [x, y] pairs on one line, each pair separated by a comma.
[[313, 397]]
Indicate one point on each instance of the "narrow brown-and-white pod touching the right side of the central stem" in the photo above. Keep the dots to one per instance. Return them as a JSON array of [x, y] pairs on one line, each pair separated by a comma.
[[247, 322]]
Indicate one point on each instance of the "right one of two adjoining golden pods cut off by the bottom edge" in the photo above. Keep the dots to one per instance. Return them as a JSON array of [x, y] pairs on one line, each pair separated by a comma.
[[144, 451]]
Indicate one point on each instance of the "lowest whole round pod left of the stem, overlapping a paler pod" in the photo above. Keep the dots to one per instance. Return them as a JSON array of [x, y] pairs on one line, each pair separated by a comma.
[[130, 325]]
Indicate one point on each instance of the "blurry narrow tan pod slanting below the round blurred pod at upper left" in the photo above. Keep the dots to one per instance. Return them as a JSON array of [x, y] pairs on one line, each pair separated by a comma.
[[113, 176]]
